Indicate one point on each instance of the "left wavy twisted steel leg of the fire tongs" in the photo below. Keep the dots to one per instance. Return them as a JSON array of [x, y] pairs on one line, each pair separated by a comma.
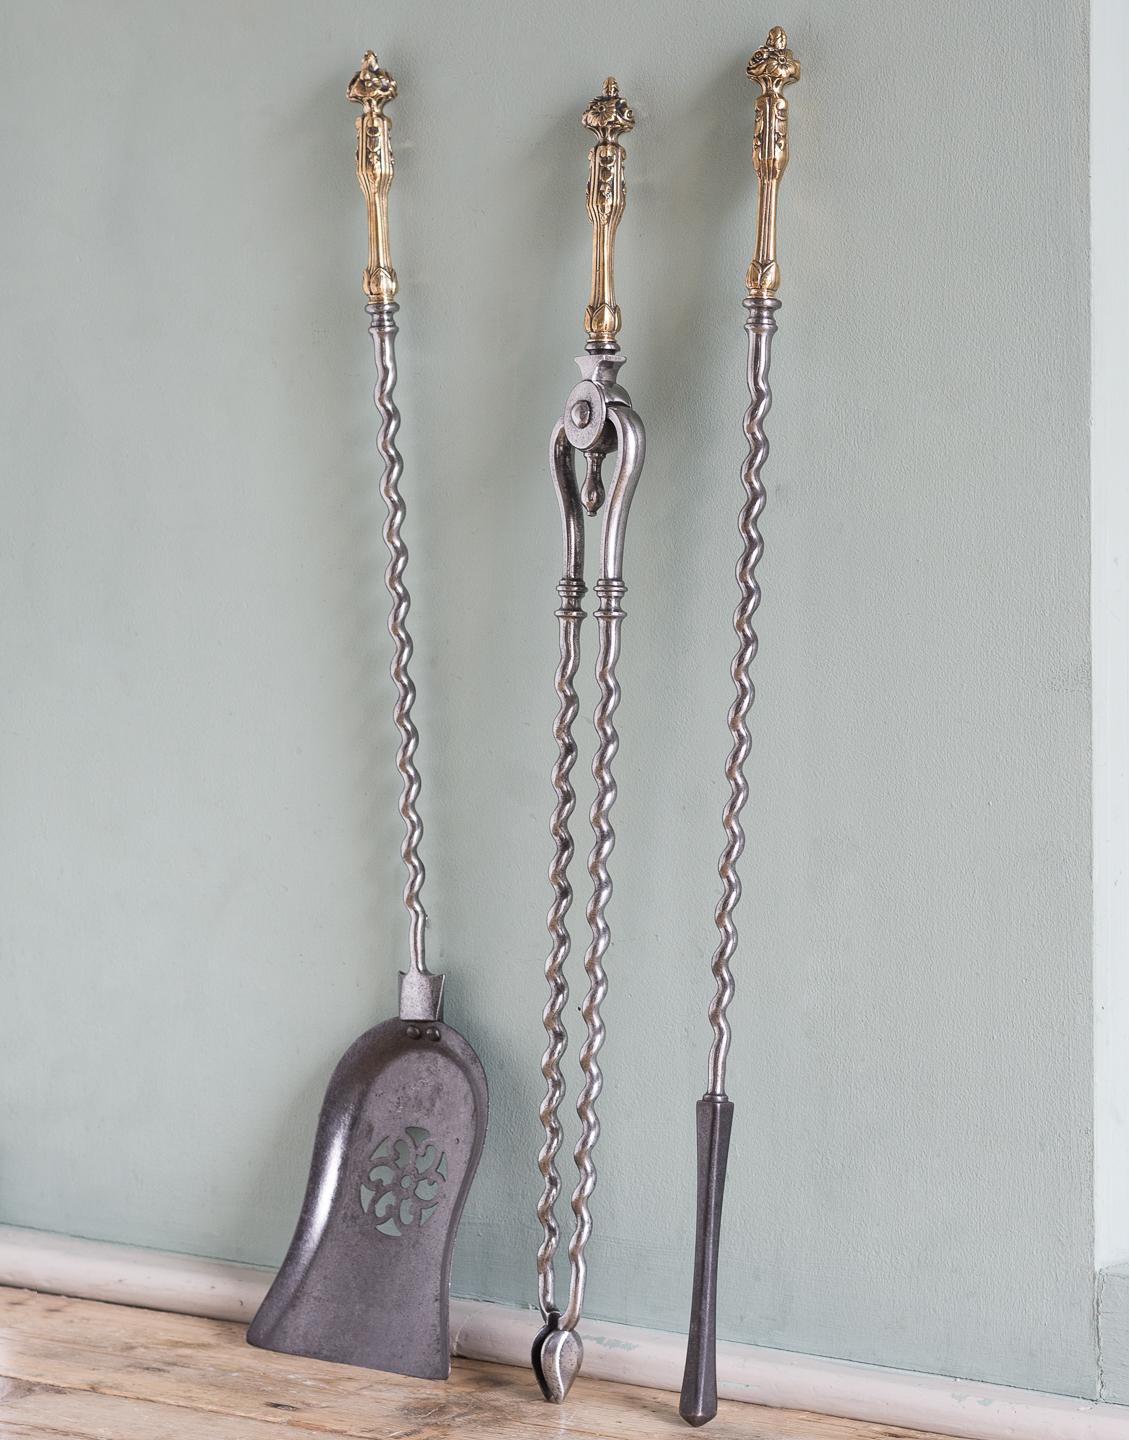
[[570, 616]]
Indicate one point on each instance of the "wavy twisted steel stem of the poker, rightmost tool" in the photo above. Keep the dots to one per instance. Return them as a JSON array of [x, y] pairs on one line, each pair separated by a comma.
[[761, 328]]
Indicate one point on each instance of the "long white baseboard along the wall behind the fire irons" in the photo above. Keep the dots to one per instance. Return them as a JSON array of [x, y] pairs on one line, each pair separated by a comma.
[[970, 1410]]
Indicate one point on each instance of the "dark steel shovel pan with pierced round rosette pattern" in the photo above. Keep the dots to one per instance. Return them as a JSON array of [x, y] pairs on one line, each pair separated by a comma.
[[368, 1274]]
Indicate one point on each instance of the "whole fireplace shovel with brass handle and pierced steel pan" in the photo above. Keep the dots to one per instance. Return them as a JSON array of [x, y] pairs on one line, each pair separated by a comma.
[[368, 1274]]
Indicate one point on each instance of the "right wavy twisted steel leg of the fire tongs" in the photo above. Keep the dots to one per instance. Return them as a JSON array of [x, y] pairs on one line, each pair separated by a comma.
[[608, 618]]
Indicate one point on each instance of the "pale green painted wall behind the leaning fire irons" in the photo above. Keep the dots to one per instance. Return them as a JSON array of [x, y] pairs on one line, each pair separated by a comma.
[[199, 894]]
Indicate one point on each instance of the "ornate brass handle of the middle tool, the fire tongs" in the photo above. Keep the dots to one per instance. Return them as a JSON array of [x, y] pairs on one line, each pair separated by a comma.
[[608, 117]]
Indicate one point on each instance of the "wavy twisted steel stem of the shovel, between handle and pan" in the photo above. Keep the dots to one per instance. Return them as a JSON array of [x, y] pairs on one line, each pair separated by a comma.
[[384, 332]]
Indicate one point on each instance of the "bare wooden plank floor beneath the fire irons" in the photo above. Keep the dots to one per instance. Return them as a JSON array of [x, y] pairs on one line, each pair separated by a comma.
[[80, 1369]]
